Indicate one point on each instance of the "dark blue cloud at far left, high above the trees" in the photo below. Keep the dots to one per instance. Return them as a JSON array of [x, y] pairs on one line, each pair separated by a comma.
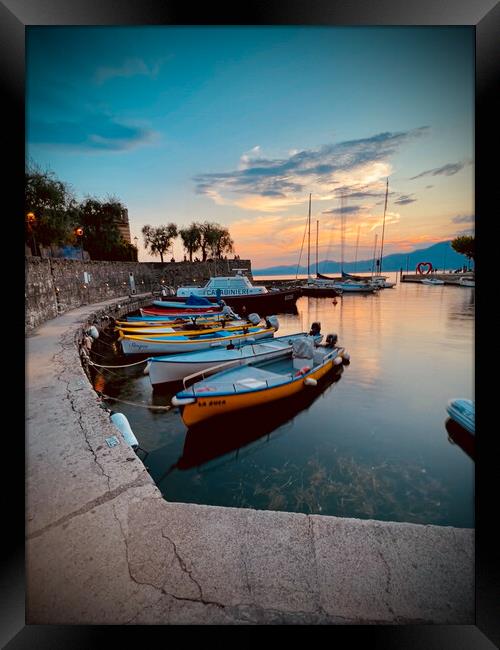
[[96, 132]]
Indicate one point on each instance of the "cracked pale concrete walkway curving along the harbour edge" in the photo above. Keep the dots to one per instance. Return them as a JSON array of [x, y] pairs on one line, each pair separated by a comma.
[[104, 547]]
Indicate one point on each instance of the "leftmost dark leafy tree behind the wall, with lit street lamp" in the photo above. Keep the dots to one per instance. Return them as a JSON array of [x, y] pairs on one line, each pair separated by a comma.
[[51, 206]]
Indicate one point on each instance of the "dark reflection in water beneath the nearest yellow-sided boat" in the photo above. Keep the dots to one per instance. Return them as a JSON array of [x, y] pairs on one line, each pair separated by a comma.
[[229, 433]]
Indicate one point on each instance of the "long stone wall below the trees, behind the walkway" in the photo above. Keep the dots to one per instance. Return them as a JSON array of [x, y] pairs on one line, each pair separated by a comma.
[[54, 286]]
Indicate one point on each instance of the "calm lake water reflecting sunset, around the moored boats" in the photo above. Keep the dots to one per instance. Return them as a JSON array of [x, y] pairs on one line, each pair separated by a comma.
[[370, 442]]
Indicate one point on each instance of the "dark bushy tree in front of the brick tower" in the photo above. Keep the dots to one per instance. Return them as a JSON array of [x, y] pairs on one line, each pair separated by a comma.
[[101, 236]]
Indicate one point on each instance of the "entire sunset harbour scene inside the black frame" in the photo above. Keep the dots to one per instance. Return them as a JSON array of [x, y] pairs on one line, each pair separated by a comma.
[[250, 326]]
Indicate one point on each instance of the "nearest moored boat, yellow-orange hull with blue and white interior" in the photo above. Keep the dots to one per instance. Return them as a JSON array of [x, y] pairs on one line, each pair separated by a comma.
[[254, 384]]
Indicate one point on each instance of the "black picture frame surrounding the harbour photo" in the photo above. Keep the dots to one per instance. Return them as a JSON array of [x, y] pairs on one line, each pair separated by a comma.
[[484, 15]]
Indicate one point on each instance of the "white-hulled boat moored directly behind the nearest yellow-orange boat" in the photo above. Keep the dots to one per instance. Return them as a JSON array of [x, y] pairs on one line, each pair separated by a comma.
[[176, 367]]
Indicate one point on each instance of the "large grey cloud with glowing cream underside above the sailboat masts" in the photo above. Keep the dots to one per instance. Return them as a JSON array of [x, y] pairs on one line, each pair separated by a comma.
[[271, 184]]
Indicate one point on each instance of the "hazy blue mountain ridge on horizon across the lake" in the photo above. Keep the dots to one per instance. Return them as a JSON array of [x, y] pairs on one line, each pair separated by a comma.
[[441, 256]]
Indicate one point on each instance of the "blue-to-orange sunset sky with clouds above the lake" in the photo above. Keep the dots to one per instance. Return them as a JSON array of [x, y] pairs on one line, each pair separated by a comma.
[[239, 125]]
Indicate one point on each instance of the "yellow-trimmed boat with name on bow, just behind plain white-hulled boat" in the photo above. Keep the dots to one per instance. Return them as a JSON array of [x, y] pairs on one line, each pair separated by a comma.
[[182, 343]]
